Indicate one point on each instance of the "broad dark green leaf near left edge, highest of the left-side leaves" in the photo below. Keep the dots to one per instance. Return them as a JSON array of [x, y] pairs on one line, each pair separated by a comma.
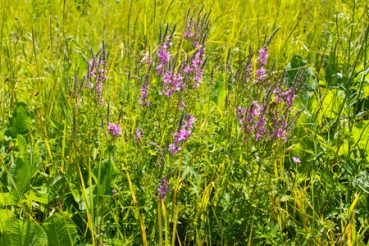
[[21, 121]]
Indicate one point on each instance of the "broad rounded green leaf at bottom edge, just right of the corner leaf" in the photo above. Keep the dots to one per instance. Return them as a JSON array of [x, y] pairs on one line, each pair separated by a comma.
[[60, 230]]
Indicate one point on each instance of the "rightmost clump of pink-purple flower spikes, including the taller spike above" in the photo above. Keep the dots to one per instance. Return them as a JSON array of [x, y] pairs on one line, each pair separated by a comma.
[[268, 117]]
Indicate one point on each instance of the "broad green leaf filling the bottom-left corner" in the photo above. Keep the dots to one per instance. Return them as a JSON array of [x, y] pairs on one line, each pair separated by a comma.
[[23, 232]]
